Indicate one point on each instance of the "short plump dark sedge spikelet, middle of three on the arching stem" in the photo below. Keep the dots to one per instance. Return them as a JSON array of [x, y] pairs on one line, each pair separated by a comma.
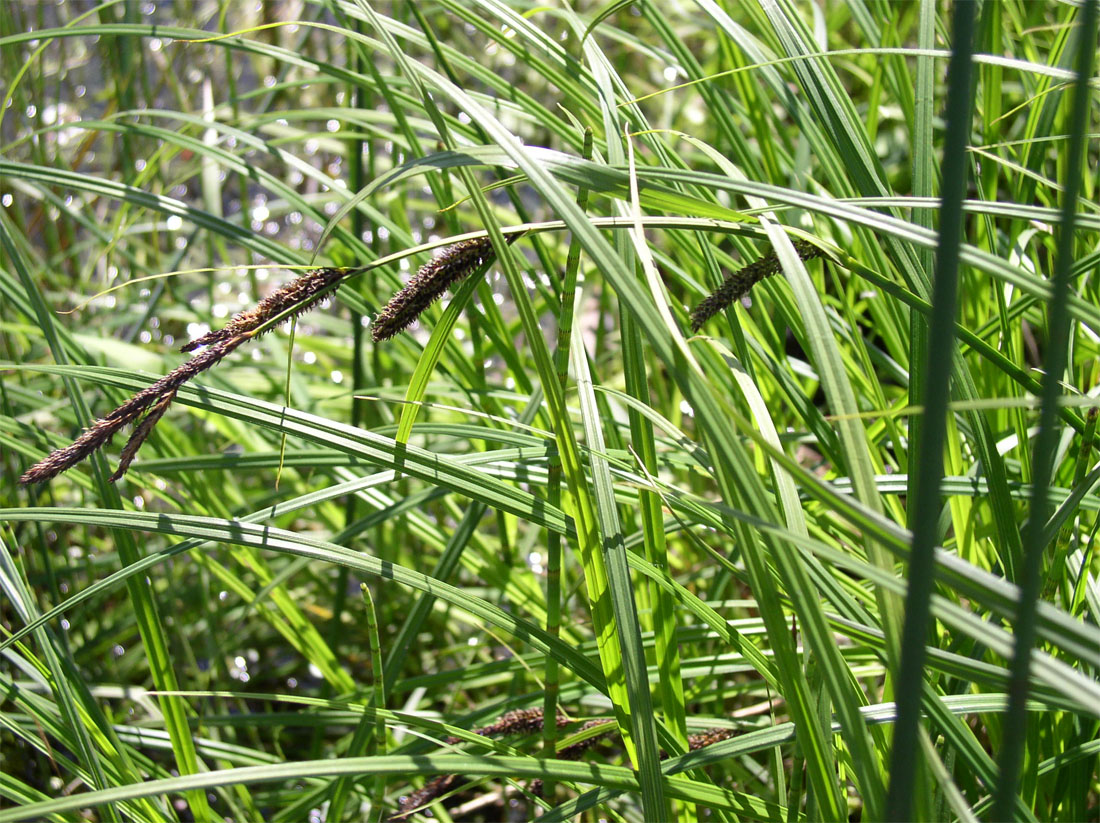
[[428, 284]]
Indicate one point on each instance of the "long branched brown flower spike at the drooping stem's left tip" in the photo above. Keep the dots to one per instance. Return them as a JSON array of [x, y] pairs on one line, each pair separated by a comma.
[[299, 297]]
